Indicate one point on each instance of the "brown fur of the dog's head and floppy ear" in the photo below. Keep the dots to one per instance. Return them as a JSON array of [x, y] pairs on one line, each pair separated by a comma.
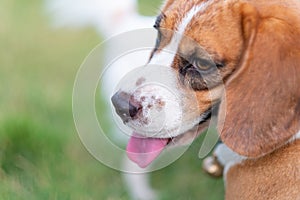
[[259, 42]]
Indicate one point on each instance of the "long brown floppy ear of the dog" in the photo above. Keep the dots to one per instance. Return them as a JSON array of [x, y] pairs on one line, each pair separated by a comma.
[[261, 103]]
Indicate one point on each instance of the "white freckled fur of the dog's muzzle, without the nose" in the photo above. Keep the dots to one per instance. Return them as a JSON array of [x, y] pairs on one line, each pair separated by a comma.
[[167, 109]]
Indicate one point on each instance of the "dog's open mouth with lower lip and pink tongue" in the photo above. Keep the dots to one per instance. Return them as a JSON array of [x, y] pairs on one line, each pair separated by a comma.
[[144, 150]]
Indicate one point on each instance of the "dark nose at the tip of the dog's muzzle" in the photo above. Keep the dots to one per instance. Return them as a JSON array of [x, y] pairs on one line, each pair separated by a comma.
[[124, 108]]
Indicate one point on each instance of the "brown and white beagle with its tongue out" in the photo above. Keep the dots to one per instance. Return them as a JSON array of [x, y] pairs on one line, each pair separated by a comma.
[[241, 57]]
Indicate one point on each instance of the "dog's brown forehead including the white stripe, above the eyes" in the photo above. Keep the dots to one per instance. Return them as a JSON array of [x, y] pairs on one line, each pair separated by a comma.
[[209, 24]]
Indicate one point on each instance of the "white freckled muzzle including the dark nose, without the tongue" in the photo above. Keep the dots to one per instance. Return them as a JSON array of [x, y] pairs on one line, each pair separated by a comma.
[[158, 106]]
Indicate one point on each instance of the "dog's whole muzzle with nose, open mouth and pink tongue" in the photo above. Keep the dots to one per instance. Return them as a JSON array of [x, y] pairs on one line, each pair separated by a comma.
[[160, 115]]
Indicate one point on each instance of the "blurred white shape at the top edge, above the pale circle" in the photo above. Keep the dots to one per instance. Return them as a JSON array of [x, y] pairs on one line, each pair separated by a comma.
[[108, 17]]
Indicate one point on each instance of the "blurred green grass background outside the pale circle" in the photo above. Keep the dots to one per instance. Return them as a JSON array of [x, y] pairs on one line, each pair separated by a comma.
[[41, 156]]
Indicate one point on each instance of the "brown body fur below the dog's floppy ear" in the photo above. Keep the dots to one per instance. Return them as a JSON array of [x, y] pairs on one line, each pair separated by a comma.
[[273, 177]]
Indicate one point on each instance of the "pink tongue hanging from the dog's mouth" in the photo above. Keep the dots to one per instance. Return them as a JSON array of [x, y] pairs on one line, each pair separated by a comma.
[[143, 151]]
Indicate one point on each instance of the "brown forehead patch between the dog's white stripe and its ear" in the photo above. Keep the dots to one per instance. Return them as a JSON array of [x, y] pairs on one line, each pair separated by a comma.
[[218, 30]]
